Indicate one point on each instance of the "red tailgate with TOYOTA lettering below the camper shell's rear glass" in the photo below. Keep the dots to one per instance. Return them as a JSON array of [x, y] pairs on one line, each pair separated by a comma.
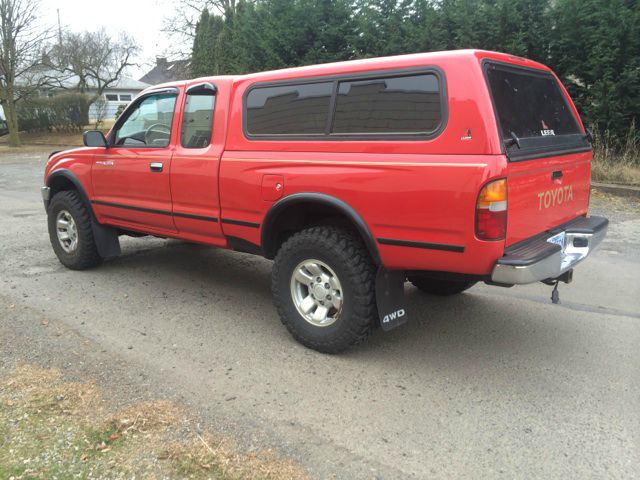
[[544, 193]]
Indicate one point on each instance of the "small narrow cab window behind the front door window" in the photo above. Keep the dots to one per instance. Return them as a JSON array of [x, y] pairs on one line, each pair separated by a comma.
[[197, 121]]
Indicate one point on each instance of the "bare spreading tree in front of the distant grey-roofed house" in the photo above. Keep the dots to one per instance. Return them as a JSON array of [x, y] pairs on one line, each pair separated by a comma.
[[89, 62]]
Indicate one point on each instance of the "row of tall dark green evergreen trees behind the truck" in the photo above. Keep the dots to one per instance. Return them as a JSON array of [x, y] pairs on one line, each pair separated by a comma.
[[594, 45]]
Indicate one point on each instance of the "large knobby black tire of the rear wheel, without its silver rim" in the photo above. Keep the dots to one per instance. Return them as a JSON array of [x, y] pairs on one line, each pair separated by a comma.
[[347, 256]]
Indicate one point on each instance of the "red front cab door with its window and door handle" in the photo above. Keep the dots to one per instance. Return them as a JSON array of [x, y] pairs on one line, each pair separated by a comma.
[[131, 177]]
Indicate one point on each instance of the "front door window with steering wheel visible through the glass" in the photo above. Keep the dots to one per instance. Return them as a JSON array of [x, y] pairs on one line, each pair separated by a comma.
[[148, 123]]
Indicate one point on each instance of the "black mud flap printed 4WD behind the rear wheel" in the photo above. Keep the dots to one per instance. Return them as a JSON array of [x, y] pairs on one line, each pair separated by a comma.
[[390, 298]]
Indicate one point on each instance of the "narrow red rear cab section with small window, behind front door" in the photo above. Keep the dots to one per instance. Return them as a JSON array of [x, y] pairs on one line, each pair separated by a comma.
[[196, 163]]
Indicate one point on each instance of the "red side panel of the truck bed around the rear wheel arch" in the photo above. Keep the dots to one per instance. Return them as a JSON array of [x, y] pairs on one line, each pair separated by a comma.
[[426, 208]]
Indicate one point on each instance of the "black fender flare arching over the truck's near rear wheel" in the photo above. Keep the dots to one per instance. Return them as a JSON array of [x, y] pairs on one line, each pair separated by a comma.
[[267, 240]]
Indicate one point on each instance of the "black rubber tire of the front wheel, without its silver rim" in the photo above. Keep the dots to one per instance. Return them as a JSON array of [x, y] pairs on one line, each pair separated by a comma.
[[86, 253]]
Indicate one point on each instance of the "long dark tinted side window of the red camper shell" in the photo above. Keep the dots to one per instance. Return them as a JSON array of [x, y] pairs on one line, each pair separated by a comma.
[[397, 104]]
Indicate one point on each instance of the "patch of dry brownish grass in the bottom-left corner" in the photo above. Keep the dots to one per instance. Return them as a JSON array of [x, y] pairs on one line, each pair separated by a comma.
[[55, 429]]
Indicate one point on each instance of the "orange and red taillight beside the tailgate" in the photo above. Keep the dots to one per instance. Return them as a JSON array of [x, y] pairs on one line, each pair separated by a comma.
[[491, 211]]
